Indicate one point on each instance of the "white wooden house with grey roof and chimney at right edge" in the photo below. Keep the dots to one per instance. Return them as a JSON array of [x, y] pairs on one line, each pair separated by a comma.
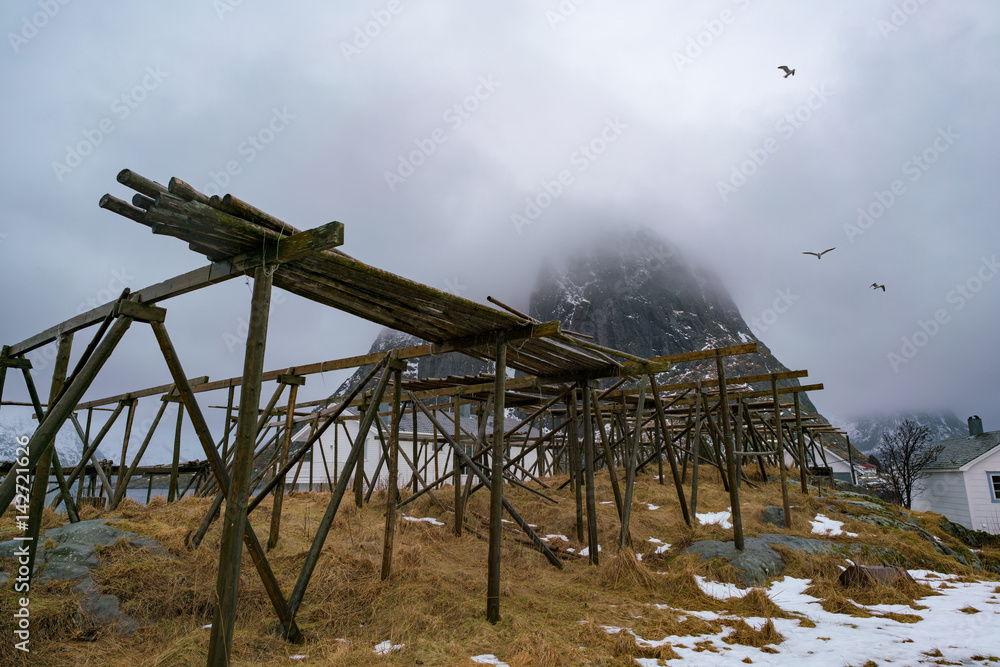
[[964, 482]]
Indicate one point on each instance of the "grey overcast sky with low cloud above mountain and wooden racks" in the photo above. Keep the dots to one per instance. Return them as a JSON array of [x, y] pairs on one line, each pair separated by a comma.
[[433, 129]]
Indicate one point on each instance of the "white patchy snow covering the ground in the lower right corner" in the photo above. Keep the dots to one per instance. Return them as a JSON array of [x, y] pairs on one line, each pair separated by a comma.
[[962, 637]]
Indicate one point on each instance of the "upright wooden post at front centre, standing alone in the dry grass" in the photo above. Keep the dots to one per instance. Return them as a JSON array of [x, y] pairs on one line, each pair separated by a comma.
[[496, 478]]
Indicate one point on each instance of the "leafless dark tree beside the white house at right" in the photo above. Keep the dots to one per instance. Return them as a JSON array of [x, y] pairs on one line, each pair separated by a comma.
[[903, 455]]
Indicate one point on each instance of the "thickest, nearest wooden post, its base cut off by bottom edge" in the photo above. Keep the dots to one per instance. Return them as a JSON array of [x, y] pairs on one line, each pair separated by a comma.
[[221, 642]]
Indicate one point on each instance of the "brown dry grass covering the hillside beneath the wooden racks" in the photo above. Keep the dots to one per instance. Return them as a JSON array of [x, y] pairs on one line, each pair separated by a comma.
[[434, 602]]
